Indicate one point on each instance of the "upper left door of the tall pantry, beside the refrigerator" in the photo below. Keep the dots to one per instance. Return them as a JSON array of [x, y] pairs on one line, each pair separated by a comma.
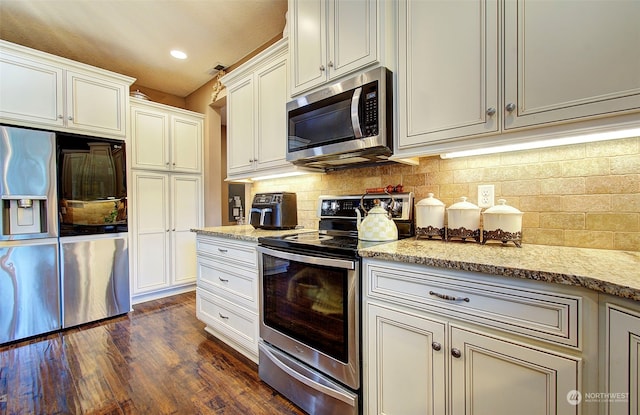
[[150, 139]]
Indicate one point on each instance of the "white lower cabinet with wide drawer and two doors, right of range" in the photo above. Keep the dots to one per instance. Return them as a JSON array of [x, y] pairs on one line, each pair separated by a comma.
[[422, 355]]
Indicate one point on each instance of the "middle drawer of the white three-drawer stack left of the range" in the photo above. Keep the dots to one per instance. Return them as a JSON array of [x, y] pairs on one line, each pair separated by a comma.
[[236, 284]]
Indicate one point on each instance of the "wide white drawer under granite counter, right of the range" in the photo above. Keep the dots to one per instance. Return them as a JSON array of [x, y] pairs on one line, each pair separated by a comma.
[[548, 316]]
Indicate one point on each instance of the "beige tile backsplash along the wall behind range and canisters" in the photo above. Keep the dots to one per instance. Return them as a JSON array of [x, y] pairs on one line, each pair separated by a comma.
[[584, 195]]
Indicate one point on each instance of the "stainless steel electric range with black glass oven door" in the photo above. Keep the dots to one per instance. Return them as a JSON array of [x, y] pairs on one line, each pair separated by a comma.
[[310, 298]]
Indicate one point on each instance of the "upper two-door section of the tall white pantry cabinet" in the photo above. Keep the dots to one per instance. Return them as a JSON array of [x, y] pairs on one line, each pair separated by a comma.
[[165, 138]]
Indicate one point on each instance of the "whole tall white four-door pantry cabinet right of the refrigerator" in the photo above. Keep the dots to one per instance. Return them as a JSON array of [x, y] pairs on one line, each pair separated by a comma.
[[167, 198]]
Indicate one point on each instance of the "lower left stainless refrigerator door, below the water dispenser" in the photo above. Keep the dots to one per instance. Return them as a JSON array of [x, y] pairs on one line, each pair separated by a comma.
[[29, 294]]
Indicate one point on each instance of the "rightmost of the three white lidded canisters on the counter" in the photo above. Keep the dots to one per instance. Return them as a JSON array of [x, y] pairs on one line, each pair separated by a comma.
[[502, 223]]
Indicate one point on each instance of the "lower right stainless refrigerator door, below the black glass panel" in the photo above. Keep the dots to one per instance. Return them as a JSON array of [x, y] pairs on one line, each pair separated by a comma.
[[95, 277]]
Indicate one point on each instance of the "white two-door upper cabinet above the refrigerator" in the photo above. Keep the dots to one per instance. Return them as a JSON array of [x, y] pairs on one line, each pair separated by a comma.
[[44, 91]]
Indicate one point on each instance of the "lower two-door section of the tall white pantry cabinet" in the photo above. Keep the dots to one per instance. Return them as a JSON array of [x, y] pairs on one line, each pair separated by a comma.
[[165, 208]]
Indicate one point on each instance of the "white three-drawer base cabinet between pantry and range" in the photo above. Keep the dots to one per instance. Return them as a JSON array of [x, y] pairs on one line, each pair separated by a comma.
[[227, 292]]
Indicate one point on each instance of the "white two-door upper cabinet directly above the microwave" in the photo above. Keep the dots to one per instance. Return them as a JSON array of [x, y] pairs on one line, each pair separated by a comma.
[[331, 38]]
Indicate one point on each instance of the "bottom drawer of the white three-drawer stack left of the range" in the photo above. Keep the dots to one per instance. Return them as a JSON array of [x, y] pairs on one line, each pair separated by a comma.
[[232, 322]]
